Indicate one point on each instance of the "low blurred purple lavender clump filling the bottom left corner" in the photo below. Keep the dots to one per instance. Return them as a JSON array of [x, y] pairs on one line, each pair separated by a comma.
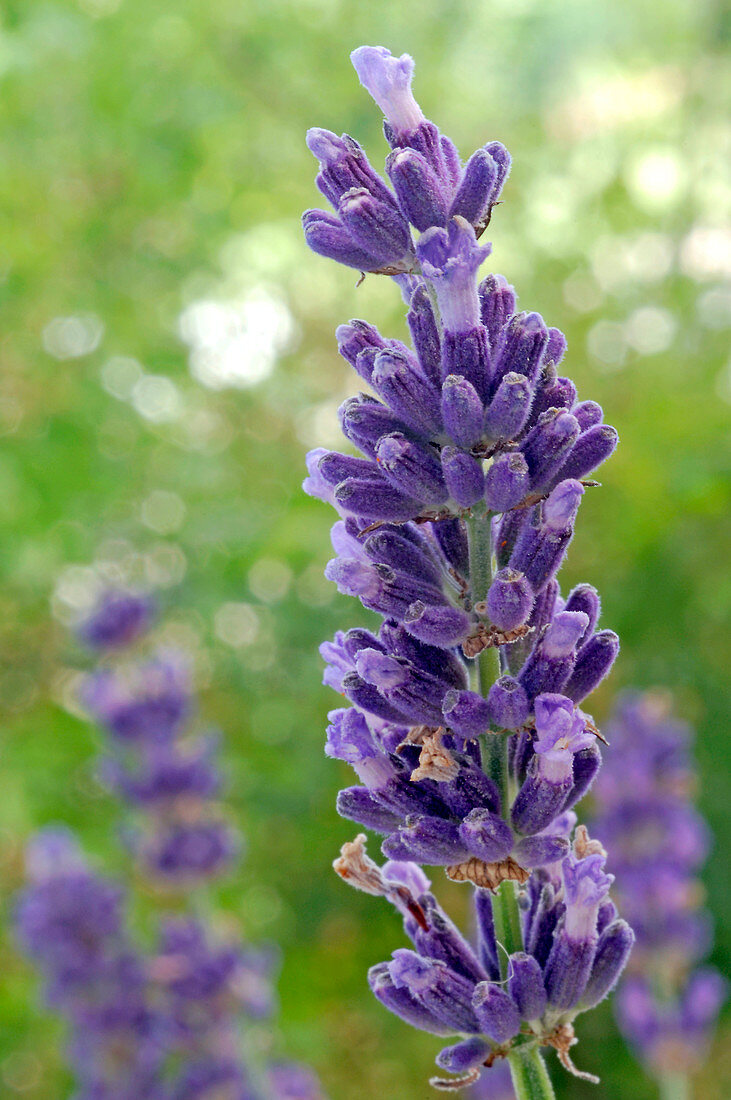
[[165, 1025]]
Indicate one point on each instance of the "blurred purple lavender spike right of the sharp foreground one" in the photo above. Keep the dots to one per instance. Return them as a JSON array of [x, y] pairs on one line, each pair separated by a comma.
[[667, 1006]]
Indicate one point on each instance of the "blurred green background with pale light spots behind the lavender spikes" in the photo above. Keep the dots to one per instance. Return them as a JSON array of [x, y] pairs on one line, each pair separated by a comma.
[[153, 160]]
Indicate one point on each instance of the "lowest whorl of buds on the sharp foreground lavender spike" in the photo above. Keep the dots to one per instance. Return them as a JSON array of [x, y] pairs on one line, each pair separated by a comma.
[[574, 949]]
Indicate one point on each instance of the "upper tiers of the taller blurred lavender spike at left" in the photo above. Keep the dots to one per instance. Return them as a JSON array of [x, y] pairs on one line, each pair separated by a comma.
[[171, 779]]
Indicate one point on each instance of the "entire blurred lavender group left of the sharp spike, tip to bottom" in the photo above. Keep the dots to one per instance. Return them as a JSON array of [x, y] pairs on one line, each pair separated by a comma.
[[187, 1019]]
